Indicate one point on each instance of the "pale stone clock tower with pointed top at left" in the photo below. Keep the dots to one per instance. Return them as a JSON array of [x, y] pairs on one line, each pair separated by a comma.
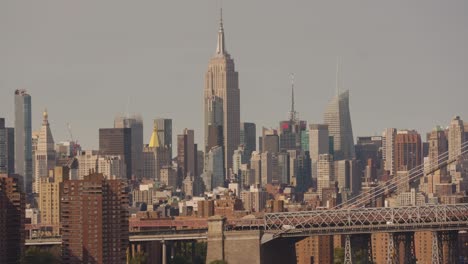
[[44, 156]]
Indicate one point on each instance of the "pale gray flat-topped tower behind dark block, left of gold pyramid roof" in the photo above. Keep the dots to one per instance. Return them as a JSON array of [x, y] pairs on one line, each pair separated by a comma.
[[135, 123]]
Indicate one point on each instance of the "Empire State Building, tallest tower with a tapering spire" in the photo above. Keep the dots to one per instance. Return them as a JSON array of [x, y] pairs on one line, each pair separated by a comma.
[[222, 100]]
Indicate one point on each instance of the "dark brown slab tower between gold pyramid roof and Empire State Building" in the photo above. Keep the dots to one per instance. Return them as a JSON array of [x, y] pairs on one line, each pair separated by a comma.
[[186, 154]]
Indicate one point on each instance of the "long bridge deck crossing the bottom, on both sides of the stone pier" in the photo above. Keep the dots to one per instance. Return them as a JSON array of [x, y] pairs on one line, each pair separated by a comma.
[[324, 222]]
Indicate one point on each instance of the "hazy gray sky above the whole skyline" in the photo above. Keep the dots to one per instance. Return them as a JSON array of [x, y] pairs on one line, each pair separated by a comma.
[[404, 62]]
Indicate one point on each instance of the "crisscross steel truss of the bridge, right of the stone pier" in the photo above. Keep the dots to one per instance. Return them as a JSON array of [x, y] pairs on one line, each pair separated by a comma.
[[368, 220]]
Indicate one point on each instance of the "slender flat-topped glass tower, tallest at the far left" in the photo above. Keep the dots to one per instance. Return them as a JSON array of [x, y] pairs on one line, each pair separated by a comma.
[[23, 138]]
